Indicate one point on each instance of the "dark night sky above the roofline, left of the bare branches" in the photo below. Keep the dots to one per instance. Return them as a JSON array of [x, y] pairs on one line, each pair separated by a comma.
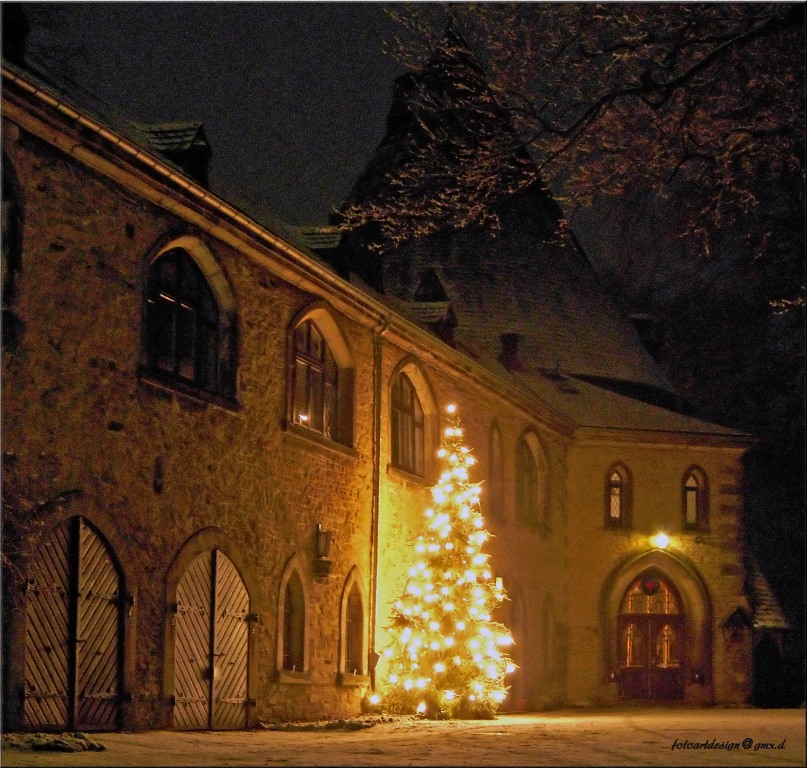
[[293, 96]]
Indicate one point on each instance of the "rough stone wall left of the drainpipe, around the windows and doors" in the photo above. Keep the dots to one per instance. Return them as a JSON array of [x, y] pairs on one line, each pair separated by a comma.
[[155, 465]]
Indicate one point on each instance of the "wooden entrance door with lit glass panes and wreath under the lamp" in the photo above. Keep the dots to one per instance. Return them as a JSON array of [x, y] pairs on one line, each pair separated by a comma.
[[651, 639]]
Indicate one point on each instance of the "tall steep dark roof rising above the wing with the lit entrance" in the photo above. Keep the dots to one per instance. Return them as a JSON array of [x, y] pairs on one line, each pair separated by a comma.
[[528, 282]]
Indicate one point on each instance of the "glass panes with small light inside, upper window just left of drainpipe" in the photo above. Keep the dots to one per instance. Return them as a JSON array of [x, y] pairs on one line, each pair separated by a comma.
[[315, 381]]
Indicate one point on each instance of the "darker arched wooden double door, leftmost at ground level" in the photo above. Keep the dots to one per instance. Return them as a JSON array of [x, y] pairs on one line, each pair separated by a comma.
[[73, 632]]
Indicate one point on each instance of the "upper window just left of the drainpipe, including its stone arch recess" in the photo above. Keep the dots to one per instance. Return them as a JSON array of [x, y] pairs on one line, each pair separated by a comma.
[[321, 376]]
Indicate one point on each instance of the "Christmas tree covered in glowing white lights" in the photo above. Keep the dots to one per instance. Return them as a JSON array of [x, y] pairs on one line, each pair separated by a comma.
[[448, 657]]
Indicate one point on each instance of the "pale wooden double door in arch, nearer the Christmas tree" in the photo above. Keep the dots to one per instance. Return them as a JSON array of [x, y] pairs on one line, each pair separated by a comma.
[[211, 645]]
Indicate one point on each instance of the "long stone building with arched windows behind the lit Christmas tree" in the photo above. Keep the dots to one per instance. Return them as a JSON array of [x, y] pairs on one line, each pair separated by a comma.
[[216, 450]]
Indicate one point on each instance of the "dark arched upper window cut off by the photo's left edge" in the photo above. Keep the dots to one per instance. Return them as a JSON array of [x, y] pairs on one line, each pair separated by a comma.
[[11, 241]]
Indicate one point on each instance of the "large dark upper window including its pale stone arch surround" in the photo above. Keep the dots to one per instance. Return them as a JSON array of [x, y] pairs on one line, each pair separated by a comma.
[[190, 319]]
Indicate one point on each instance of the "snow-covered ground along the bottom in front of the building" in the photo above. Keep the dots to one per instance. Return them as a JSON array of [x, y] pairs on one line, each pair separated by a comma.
[[624, 737]]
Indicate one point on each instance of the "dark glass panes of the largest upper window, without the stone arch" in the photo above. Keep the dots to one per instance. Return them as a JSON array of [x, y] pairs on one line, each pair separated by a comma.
[[185, 340]]
